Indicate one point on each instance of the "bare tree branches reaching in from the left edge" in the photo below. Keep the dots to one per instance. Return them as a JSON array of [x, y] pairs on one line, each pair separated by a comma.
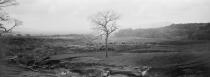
[[5, 19]]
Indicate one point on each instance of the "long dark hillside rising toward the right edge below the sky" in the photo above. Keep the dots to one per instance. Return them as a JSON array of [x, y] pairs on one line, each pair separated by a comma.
[[195, 31]]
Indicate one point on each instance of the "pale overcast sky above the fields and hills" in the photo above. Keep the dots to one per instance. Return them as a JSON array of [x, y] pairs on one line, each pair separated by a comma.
[[71, 16]]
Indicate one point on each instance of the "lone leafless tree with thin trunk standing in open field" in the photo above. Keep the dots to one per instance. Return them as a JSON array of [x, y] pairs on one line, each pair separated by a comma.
[[106, 23]]
